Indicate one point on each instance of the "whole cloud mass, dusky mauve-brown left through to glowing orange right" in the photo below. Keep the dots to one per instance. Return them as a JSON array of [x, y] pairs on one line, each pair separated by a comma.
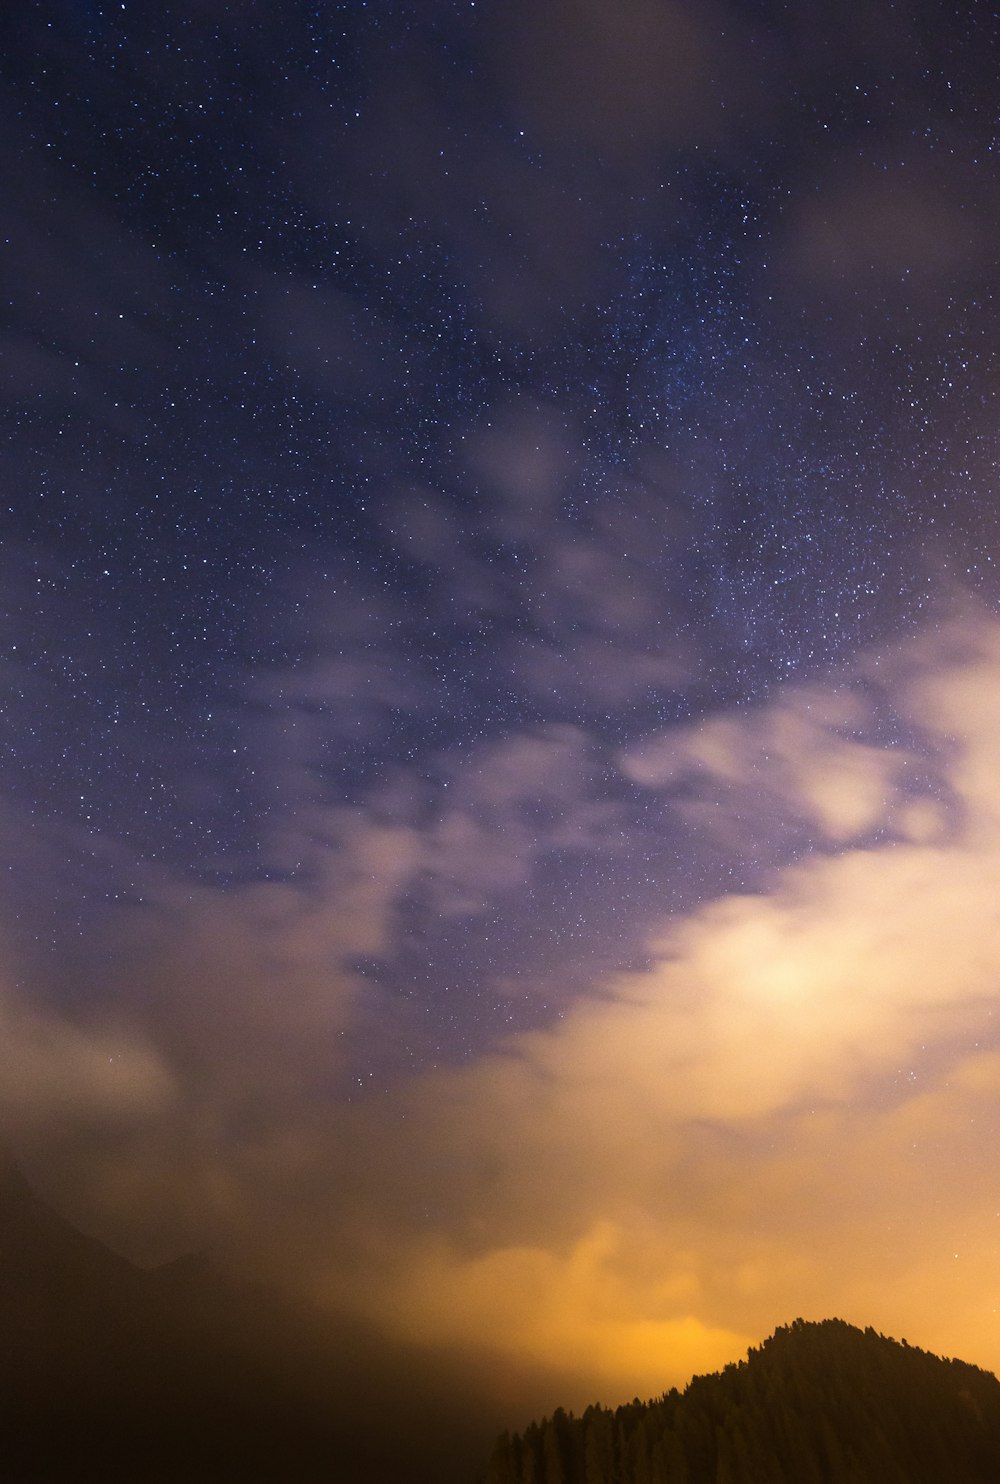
[[792, 1111]]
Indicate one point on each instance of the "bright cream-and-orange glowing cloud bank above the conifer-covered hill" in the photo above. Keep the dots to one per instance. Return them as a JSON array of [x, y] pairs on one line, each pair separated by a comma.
[[759, 1126]]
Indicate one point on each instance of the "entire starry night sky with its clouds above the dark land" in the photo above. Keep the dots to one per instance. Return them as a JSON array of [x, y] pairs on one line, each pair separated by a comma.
[[502, 663]]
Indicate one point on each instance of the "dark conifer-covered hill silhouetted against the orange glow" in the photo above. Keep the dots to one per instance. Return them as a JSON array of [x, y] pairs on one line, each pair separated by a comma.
[[815, 1405]]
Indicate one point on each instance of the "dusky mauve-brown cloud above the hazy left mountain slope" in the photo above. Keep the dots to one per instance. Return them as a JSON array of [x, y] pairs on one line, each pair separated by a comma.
[[216, 1037]]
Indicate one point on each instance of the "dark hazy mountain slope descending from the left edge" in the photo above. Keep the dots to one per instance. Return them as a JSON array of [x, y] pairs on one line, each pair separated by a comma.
[[112, 1375]]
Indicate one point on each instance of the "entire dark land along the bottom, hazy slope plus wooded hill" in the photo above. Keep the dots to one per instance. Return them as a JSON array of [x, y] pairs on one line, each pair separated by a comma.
[[111, 1373]]
